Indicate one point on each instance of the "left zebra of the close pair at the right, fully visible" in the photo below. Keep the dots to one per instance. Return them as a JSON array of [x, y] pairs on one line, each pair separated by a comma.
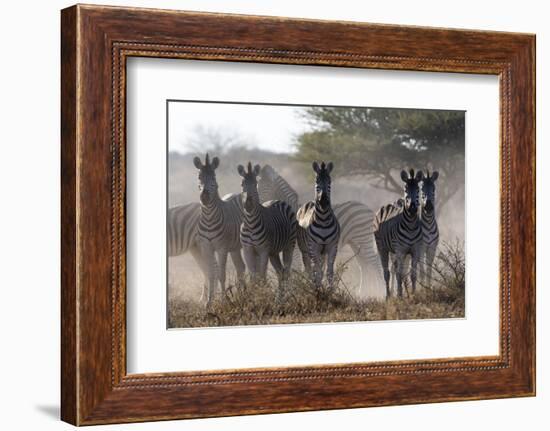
[[398, 230]]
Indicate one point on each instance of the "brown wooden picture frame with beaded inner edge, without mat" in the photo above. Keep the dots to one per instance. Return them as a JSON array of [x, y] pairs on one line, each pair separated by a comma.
[[95, 43]]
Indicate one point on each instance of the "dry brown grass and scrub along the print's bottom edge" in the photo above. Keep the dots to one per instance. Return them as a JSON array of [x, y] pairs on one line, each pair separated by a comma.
[[258, 304]]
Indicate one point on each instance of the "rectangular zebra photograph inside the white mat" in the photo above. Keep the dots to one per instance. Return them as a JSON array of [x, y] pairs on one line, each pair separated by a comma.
[[285, 214]]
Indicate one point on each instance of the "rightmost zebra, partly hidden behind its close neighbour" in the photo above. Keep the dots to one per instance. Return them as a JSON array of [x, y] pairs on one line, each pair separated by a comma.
[[430, 231]]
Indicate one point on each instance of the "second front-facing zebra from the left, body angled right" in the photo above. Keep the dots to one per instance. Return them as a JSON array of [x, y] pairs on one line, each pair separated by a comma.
[[267, 230]]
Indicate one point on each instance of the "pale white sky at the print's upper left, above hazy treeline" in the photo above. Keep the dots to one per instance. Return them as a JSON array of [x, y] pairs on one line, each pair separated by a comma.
[[268, 127]]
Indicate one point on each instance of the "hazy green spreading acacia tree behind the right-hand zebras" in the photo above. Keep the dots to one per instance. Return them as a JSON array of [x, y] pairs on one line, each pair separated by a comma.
[[378, 143]]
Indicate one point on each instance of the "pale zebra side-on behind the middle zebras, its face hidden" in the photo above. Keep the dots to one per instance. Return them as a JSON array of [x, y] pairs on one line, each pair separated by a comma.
[[355, 218]]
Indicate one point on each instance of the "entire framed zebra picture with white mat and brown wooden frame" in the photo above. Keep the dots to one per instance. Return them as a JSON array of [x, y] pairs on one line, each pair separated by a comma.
[[263, 214]]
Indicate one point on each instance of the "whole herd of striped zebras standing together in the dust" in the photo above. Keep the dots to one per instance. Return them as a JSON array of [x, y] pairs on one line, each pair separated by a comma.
[[266, 221]]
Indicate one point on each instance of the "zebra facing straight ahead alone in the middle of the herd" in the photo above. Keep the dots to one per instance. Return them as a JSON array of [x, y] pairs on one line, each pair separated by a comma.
[[319, 231]]
